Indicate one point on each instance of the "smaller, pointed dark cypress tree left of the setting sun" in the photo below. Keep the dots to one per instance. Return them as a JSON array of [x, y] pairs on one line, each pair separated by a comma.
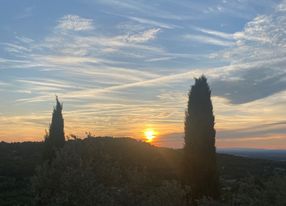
[[55, 139]]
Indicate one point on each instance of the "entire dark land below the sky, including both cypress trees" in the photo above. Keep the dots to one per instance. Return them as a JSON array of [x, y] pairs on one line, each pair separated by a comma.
[[123, 171]]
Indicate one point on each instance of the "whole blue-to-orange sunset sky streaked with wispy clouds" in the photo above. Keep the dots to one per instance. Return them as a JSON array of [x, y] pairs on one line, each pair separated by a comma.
[[121, 67]]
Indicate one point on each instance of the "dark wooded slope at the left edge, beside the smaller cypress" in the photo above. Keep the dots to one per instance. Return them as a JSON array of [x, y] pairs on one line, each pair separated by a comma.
[[17, 164]]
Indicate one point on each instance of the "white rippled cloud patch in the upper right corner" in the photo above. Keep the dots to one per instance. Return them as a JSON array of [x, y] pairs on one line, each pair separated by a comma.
[[263, 38]]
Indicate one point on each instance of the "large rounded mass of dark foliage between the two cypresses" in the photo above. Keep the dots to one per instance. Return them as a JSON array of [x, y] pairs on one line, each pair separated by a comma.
[[107, 171]]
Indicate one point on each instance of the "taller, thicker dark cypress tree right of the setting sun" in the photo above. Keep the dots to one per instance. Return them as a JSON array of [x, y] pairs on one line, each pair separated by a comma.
[[200, 152]]
